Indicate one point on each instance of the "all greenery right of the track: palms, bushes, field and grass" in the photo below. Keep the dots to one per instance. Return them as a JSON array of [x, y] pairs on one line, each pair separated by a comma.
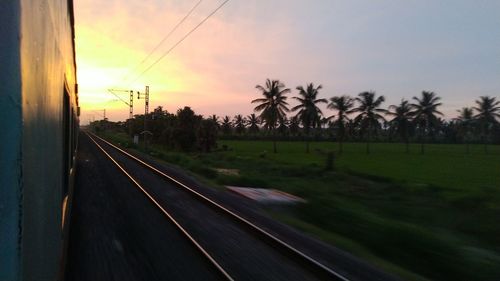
[[397, 185]]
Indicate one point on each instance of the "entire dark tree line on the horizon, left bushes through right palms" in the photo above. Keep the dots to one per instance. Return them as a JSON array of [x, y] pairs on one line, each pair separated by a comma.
[[357, 119]]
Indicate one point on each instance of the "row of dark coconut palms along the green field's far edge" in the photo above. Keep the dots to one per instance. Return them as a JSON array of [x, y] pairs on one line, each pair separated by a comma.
[[362, 118]]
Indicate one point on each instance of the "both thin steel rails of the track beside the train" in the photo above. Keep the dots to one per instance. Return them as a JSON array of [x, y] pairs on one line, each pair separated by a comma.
[[312, 265]]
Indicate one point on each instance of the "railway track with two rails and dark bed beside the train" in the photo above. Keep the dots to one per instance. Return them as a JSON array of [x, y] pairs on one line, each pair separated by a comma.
[[242, 251]]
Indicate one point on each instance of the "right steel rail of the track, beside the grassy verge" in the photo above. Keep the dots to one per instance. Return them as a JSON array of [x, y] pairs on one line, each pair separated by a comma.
[[311, 262]]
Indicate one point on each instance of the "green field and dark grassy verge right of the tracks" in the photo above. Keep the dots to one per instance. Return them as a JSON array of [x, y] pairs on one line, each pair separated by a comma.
[[435, 215]]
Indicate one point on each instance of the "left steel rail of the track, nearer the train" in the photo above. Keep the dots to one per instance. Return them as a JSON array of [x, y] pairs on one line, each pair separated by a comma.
[[168, 215]]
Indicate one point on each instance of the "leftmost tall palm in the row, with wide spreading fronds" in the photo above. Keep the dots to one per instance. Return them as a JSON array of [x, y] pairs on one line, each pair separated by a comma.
[[272, 106]]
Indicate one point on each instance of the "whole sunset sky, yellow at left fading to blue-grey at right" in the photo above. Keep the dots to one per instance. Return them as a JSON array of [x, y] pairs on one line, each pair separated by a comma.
[[395, 48]]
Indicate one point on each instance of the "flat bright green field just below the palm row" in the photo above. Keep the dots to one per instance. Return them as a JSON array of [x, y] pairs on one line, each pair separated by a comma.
[[446, 166]]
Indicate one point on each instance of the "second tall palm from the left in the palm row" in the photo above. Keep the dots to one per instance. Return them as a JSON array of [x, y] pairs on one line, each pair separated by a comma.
[[309, 113]]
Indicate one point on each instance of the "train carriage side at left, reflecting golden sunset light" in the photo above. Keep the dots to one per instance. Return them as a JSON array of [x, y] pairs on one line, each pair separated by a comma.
[[38, 136]]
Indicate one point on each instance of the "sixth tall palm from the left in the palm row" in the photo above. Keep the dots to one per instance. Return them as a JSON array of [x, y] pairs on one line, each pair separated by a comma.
[[425, 111]]
